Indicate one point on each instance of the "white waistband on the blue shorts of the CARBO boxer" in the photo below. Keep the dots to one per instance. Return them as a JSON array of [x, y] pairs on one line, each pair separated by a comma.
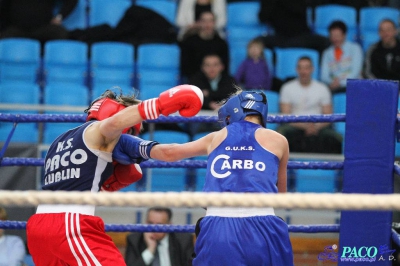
[[238, 212]]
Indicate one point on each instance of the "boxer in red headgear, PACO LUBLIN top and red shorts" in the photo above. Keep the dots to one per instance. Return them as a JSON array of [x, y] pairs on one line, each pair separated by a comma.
[[93, 157]]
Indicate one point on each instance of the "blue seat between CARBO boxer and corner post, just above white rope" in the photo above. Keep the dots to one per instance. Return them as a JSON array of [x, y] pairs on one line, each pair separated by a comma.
[[316, 180]]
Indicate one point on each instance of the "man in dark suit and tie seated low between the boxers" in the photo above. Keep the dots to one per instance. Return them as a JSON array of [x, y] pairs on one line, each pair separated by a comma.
[[159, 248]]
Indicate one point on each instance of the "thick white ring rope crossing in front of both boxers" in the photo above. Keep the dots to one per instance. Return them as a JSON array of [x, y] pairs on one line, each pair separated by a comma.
[[200, 199]]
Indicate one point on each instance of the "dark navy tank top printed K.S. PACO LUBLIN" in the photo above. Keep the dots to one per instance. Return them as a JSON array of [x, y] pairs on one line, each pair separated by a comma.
[[71, 165]]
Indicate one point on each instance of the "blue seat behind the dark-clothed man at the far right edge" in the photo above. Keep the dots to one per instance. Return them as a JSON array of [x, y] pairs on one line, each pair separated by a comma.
[[370, 18]]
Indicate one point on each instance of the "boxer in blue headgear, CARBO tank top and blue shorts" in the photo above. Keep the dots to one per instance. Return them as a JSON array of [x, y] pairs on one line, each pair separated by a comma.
[[243, 157]]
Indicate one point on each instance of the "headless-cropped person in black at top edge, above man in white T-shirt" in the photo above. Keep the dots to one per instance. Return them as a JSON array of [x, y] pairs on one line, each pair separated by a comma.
[[289, 21]]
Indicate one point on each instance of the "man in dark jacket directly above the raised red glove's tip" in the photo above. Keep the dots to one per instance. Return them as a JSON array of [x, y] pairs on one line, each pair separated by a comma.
[[215, 83]]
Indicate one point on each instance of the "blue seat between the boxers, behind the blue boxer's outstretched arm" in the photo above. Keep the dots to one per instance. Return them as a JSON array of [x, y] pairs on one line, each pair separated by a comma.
[[167, 179]]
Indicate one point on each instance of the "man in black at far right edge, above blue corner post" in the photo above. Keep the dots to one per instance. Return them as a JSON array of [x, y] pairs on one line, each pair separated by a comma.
[[383, 58]]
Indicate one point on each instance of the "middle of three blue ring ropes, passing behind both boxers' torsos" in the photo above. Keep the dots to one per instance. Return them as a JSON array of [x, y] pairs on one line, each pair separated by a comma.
[[179, 164]]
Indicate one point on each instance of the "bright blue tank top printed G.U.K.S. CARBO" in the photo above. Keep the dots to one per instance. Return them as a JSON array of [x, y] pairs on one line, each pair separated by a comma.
[[241, 164]]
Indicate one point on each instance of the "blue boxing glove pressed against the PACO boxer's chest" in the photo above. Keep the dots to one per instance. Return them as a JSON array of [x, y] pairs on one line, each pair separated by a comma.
[[131, 149]]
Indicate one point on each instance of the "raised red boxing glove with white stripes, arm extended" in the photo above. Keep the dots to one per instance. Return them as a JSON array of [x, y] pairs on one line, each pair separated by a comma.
[[187, 99]]
